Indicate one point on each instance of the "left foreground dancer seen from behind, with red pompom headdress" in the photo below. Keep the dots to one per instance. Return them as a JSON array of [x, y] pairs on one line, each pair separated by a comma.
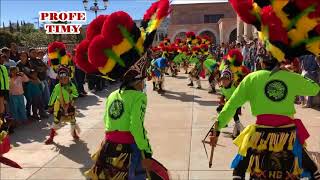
[[125, 153]]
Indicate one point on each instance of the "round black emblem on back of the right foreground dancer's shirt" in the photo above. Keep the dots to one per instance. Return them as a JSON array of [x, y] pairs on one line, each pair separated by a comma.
[[276, 90]]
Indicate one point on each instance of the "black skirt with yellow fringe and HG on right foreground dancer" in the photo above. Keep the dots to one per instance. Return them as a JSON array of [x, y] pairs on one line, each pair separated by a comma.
[[268, 153]]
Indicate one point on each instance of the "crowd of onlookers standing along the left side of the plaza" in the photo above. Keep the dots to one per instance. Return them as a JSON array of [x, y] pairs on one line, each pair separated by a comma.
[[31, 81]]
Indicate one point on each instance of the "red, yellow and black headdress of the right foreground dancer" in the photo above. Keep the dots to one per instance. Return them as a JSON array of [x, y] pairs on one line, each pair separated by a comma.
[[289, 28]]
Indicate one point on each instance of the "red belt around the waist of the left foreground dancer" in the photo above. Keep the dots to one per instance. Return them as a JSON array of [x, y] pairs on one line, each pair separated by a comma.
[[121, 137]]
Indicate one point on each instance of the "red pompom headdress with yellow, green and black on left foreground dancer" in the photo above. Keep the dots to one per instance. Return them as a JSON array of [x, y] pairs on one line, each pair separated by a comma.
[[114, 43]]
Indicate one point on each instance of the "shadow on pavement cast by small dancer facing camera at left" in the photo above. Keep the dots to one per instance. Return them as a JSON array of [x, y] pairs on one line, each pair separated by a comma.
[[77, 152]]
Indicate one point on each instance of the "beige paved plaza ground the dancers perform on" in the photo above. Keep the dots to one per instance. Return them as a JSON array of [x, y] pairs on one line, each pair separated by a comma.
[[176, 121]]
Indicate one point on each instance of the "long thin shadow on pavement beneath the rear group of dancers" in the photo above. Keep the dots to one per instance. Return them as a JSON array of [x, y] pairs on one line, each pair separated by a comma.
[[184, 97]]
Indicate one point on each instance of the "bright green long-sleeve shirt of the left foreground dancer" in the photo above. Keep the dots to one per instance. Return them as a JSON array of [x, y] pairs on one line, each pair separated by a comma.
[[125, 111]]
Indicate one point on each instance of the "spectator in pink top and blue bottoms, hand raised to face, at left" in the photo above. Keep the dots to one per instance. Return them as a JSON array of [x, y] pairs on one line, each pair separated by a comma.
[[16, 103]]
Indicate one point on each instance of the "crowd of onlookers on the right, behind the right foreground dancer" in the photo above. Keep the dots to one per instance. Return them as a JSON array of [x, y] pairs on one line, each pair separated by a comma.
[[253, 52]]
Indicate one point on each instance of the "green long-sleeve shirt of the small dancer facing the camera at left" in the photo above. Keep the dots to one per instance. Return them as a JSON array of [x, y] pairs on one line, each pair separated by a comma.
[[69, 92]]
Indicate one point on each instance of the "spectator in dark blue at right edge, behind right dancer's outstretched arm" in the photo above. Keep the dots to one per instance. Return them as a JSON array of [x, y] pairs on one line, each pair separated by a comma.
[[310, 69]]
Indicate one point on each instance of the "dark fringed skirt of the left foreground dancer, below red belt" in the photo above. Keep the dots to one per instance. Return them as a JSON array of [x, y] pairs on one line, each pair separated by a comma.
[[114, 161]]
